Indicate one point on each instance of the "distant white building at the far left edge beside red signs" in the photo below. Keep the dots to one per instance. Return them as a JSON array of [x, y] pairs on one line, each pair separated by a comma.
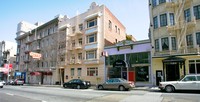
[[7, 56]]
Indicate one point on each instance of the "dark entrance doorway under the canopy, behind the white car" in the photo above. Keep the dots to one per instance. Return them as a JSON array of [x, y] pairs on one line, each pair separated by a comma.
[[172, 72]]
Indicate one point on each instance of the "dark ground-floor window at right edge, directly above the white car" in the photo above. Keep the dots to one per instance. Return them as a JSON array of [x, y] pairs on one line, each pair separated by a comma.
[[194, 66]]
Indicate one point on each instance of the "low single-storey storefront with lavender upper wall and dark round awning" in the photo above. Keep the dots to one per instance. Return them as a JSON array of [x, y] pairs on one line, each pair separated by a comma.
[[130, 60]]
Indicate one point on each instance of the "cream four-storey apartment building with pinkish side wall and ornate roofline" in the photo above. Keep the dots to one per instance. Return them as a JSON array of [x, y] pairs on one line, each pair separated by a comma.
[[82, 41]]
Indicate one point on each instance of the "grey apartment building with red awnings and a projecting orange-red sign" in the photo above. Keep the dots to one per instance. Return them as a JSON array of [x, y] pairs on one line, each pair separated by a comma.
[[40, 39]]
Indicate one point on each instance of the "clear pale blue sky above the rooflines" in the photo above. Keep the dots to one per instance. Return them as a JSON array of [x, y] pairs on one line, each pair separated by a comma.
[[133, 14]]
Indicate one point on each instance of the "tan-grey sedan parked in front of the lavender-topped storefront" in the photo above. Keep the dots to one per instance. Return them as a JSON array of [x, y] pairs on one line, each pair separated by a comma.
[[116, 83]]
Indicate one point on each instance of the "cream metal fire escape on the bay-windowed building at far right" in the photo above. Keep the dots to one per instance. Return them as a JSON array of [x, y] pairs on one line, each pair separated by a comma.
[[181, 26]]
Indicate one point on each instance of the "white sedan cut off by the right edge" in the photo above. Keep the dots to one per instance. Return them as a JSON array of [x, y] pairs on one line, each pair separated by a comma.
[[189, 82]]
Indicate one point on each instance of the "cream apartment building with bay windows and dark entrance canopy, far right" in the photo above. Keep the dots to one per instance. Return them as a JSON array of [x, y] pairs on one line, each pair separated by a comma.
[[175, 38]]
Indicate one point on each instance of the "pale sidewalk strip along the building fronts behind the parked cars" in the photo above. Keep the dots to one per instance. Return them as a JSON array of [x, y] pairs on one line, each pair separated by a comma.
[[144, 88]]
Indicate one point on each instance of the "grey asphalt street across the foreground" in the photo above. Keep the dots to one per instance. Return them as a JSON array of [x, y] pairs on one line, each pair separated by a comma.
[[58, 94]]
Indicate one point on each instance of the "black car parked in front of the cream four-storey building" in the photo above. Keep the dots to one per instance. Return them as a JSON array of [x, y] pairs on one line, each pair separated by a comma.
[[77, 83]]
